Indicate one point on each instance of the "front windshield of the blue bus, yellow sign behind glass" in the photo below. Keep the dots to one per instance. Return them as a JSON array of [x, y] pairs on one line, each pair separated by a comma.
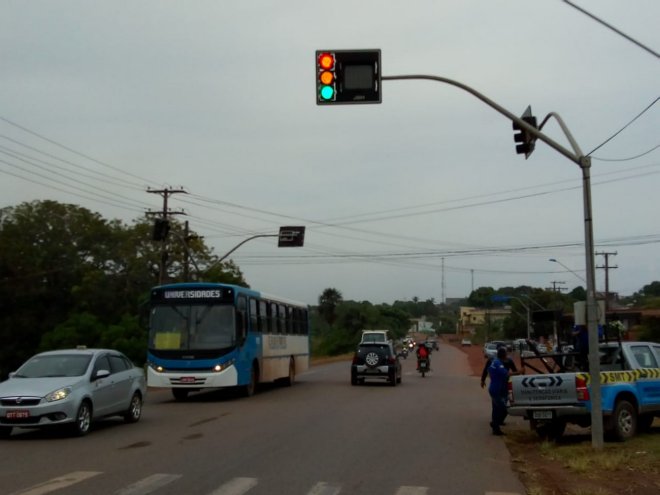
[[192, 327]]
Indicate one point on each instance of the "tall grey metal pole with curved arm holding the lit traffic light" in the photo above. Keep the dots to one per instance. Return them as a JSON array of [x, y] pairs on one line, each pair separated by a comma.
[[584, 162]]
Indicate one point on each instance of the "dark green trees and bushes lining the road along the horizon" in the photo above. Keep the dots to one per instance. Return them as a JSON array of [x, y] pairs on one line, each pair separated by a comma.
[[70, 277]]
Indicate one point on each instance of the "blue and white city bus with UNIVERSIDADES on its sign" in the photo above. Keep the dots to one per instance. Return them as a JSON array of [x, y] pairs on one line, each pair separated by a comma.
[[212, 335]]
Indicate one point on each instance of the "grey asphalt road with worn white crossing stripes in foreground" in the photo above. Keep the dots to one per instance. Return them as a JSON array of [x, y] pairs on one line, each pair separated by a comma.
[[320, 437]]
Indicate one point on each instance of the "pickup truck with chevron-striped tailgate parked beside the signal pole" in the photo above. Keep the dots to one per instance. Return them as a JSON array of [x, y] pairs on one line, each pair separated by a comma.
[[630, 389]]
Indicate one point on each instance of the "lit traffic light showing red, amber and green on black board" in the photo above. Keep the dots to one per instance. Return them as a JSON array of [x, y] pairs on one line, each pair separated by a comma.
[[347, 76]]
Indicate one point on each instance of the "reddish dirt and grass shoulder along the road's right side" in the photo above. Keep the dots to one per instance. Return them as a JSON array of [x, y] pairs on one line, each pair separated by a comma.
[[571, 466]]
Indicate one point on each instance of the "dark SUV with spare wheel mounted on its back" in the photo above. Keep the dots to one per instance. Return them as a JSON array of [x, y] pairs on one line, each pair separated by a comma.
[[375, 360]]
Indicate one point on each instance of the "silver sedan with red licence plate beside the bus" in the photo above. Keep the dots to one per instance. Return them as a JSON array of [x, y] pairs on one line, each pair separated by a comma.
[[71, 388]]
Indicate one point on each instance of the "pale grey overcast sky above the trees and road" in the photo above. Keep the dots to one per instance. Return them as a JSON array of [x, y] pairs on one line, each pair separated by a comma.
[[420, 196]]
